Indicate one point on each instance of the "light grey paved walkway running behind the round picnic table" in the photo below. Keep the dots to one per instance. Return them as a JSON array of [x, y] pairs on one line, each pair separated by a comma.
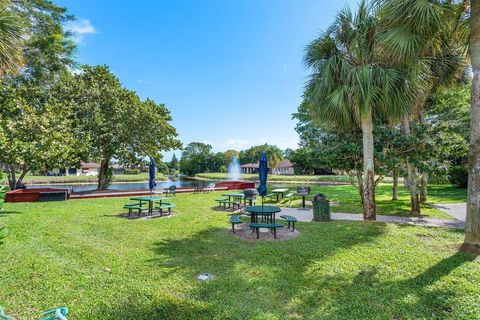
[[306, 215]]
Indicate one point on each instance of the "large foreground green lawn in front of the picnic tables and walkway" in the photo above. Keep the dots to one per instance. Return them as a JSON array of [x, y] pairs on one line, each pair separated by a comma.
[[81, 254]]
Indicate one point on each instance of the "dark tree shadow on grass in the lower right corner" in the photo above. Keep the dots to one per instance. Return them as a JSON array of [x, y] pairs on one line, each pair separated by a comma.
[[419, 297]]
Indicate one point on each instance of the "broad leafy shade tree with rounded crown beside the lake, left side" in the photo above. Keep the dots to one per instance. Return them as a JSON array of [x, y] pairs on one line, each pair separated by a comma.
[[116, 123]]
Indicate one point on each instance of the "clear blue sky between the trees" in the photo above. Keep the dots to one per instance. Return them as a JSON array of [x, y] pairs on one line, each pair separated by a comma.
[[231, 72]]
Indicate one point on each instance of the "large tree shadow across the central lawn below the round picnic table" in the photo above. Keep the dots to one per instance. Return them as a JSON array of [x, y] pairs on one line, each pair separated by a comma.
[[252, 279]]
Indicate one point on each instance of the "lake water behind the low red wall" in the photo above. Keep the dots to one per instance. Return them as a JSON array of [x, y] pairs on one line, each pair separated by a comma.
[[75, 187]]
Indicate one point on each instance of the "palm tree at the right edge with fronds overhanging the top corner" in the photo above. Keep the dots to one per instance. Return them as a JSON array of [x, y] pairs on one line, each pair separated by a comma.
[[416, 23]]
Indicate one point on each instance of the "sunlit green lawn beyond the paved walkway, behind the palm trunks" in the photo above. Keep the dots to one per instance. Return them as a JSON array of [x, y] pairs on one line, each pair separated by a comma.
[[347, 199]]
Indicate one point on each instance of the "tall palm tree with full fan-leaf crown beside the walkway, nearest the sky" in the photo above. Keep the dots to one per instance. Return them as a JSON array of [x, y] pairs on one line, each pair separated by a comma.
[[352, 82]]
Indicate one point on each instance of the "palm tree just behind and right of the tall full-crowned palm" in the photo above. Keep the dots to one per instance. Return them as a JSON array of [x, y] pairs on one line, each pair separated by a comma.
[[434, 52]]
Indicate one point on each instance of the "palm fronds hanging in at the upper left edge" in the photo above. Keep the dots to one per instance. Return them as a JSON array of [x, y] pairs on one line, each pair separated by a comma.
[[11, 33]]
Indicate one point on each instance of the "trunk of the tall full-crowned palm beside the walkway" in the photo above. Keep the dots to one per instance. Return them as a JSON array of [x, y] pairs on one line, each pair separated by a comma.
[[369, 208]]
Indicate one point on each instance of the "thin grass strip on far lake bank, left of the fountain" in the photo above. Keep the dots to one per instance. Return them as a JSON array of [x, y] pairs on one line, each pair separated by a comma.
[[89, 179]]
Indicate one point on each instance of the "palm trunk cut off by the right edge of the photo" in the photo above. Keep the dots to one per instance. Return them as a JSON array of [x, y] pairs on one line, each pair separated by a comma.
[[472, 223]]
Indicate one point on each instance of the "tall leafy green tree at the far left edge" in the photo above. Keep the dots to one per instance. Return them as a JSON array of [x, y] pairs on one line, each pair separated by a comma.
[[33, 121]]
